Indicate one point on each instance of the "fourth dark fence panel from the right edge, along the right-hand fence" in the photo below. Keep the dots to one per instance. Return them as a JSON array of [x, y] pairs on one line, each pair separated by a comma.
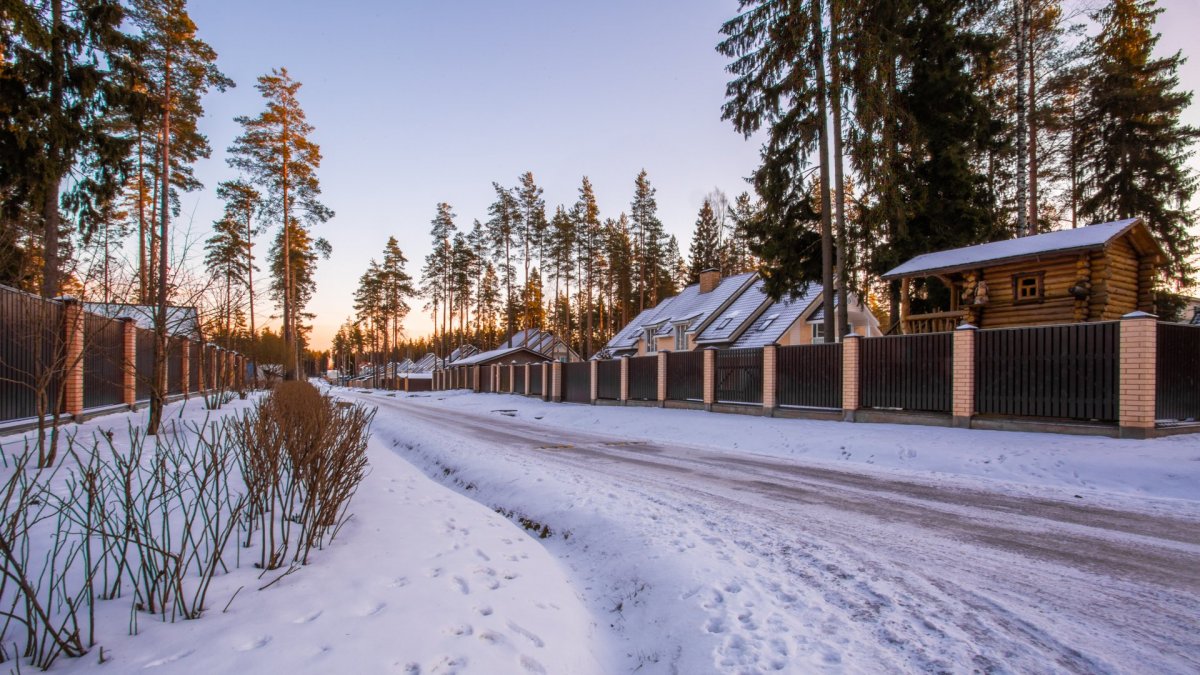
[[809, 377]]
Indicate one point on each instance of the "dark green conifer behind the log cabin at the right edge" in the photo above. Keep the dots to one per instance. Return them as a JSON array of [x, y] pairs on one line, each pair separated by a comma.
[[1135, 145]]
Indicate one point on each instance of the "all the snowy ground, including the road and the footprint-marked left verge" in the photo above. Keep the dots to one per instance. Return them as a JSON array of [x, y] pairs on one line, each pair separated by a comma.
[[662, 541]]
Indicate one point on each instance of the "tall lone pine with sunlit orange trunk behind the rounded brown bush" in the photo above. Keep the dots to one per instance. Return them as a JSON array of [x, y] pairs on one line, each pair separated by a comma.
[[277, 153]]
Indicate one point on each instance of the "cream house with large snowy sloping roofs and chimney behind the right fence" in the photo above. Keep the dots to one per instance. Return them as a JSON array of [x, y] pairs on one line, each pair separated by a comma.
[[731, 313]]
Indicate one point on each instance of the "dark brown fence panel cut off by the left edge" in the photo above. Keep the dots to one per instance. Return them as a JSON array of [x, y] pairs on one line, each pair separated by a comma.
[[31, 354]]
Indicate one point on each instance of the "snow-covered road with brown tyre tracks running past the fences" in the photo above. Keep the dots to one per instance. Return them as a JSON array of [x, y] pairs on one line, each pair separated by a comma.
[[705, 559]]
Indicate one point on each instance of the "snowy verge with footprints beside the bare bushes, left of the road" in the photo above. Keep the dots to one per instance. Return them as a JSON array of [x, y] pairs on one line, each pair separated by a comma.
[[422, 581]]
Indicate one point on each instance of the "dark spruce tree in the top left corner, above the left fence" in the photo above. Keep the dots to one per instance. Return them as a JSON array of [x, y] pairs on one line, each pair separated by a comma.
[[68, 73]]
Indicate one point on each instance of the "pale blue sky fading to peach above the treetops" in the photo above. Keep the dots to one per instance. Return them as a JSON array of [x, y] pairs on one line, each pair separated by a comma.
[[423, 103]]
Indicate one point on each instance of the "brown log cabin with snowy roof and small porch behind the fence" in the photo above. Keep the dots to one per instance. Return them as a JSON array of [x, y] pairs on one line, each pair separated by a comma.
[[1095, 273]]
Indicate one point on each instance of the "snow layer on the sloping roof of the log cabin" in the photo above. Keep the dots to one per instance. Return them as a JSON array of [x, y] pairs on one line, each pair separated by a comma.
[[1061, 242]]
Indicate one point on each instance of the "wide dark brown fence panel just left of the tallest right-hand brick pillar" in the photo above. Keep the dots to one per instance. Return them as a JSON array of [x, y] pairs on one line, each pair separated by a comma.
[[1059, 372]]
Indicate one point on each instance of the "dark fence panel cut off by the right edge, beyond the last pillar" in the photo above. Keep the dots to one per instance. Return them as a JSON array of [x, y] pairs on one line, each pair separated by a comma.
[[1178, 381]]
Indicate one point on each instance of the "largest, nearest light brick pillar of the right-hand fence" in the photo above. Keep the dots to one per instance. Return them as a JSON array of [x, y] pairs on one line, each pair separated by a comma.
[[1139, 371]]
